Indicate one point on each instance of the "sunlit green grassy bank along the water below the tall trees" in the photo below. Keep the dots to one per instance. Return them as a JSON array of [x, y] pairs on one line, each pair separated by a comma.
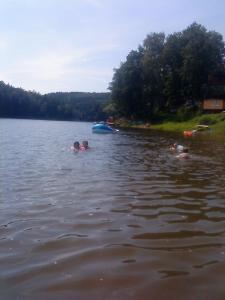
[[216, 123]]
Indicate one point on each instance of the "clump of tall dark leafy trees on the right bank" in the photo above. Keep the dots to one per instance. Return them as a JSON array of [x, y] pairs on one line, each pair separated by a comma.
[[169, 74]]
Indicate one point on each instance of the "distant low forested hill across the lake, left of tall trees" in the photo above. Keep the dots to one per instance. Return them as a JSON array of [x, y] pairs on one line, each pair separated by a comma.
[[78, 106]]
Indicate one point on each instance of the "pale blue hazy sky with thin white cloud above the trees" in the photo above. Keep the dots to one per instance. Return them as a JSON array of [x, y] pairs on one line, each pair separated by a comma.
[[74, 45]]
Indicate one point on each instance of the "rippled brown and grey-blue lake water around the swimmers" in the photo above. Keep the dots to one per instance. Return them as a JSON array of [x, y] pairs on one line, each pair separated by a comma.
[[124, 220]]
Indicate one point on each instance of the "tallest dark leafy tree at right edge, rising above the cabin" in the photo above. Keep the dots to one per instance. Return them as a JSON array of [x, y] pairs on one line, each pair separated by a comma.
[[202, 56]]
